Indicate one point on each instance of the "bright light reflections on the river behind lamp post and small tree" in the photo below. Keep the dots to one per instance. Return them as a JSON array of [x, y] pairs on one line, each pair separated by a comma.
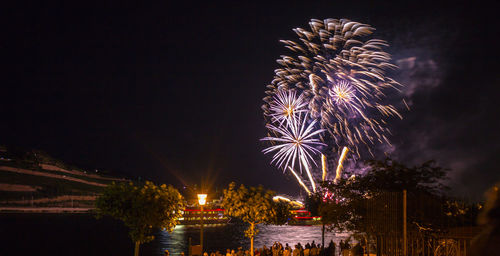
[[231, 236]]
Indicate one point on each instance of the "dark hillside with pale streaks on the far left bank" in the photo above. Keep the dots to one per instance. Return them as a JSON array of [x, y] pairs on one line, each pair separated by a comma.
[[32, 181]]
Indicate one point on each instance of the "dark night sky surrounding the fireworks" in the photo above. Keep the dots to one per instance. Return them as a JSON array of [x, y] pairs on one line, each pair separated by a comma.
[[171, 92]]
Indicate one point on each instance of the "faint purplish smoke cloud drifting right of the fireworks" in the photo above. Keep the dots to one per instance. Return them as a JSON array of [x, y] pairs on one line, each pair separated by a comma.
[[426, 134]]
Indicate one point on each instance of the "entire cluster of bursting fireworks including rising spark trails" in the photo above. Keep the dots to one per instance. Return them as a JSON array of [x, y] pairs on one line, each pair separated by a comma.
[[339, 75]]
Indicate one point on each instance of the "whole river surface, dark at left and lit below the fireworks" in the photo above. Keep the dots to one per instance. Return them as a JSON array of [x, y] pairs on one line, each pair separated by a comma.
[[82, 234]]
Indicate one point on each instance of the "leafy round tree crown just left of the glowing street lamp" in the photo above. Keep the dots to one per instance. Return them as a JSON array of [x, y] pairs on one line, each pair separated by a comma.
[[141, 208]]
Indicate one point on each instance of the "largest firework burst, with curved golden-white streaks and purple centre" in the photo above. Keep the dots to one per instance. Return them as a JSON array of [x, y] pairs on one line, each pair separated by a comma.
[[341, 74]]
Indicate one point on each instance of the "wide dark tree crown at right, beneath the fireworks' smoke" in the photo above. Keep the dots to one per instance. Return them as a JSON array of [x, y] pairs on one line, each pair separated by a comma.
[[427, 202]]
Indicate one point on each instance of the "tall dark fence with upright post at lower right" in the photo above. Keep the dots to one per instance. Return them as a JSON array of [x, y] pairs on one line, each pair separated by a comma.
[[421, 223]]
